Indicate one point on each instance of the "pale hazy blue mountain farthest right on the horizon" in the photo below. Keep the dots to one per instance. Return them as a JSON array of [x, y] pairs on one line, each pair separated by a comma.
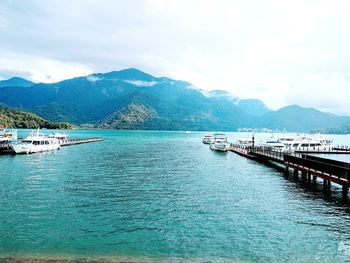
[[299, 119]]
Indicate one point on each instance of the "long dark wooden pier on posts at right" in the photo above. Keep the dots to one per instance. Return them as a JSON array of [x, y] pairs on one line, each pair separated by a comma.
[[311, 167]]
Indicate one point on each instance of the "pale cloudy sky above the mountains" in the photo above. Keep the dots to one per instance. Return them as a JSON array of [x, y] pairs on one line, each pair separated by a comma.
[[282, 52]]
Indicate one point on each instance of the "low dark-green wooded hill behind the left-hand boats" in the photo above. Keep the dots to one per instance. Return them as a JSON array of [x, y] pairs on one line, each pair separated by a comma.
[[18, 119]]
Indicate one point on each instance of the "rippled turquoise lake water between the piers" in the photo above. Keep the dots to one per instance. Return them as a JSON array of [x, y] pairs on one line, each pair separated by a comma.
[[164, 196]]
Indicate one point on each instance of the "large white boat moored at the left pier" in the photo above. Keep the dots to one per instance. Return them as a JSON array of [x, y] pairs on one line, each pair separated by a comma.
[[35, 142]]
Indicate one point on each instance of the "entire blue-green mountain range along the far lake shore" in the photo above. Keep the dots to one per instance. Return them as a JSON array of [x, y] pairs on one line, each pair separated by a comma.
[[132, 99]]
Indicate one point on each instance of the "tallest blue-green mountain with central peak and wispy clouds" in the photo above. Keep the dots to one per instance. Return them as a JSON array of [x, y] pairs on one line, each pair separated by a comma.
[[98, 98]]
